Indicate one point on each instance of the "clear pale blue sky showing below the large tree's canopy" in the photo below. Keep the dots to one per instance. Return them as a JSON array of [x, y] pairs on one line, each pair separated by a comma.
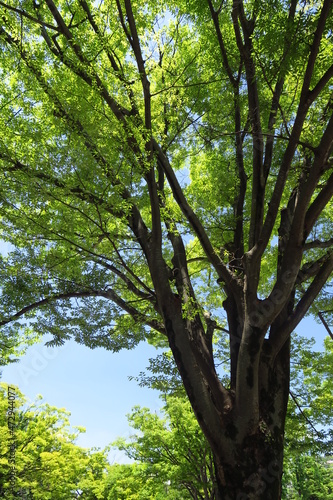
[[94, 386]]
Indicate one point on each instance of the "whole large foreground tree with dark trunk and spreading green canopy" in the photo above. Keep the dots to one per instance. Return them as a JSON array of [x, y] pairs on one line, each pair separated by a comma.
[[166, 165]]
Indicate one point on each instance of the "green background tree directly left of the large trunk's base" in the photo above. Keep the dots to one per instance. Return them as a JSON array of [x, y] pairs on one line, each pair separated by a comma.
[[173, 449]]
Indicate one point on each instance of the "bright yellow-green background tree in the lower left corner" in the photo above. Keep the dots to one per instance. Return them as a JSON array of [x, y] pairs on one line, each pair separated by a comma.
[[48, 463]]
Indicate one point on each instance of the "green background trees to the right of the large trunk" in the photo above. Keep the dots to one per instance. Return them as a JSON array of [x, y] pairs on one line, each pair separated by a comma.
[[309, 424]]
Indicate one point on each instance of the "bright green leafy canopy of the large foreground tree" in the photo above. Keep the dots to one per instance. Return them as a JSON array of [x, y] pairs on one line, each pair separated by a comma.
[[73, 160]]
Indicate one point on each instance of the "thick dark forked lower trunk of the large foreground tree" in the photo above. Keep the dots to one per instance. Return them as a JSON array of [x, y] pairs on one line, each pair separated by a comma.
[[244, 424]]
